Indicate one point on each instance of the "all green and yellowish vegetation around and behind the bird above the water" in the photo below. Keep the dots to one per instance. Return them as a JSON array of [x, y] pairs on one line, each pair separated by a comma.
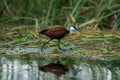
[[21, 19]]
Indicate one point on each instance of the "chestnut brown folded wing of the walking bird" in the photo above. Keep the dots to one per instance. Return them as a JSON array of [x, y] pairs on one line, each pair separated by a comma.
[[57, 32]]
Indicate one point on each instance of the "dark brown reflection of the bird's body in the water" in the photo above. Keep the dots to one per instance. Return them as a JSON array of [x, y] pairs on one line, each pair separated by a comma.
[[55, 68]]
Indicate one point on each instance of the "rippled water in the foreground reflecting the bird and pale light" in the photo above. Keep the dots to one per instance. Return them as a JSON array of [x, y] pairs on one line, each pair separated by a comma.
[[28, 68]]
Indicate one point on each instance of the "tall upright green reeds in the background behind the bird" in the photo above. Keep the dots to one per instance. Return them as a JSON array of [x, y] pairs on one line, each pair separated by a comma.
[[93, 13]]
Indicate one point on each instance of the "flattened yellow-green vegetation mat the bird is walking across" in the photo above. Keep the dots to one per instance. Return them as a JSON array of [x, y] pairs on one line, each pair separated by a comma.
[[89, 43]]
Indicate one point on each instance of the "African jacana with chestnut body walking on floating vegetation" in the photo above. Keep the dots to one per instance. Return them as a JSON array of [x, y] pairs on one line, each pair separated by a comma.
[[57, 33]]
